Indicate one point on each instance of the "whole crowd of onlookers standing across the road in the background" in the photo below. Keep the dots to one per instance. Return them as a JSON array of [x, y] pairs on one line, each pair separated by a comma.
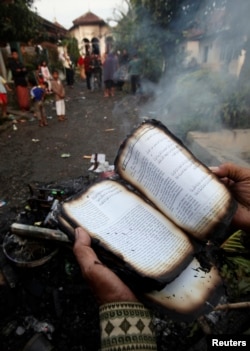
[[108, 73]]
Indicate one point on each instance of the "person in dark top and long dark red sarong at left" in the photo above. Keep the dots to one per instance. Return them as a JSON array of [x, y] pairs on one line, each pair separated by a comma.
[[19, 73]]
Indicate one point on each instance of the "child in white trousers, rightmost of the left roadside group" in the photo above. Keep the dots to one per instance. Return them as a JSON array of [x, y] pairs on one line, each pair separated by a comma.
[[59, 91]]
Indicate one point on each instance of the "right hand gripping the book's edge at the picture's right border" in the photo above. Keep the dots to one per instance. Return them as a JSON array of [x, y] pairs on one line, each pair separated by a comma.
[[237, 179]]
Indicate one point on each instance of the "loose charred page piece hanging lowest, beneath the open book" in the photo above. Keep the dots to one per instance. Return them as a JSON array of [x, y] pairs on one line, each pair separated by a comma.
[[193, 293]]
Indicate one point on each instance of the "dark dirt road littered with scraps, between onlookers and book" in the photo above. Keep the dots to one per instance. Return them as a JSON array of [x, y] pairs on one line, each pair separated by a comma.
[[30, 153]]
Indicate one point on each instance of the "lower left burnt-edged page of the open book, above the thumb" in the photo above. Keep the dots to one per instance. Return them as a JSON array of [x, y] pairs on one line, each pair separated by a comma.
[[131, 229]]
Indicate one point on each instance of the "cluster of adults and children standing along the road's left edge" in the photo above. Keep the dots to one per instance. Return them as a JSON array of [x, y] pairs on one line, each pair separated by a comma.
[[31, 90]]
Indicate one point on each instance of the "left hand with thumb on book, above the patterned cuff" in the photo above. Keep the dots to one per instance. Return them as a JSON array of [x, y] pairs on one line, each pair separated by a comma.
[[106, 285]]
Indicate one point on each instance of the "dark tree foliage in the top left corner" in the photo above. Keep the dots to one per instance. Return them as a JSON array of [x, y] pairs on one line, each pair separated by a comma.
[[18, 22]]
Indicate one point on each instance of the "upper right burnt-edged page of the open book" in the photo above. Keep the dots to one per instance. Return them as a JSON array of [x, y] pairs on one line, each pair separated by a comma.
[[155, 162]]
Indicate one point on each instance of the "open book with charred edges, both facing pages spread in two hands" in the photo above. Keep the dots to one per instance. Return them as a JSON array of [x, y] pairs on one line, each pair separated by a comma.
[[161, 208]]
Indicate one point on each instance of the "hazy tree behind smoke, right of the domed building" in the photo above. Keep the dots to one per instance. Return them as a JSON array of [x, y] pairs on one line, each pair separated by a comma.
[[155, 29]]
